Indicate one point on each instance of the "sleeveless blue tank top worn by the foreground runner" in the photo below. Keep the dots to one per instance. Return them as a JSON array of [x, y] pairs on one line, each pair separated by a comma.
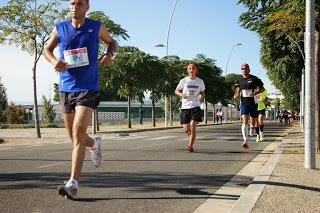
[[79, 47]]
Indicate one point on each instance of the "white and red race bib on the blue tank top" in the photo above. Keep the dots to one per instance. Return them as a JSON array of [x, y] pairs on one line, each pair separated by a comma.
[[76, 57]]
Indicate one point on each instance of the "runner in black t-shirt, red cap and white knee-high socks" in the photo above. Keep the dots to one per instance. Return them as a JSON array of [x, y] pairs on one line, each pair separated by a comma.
[[247, 87]]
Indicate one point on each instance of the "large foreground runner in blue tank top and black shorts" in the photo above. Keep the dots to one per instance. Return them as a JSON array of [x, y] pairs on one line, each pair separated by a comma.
[[78, 41]]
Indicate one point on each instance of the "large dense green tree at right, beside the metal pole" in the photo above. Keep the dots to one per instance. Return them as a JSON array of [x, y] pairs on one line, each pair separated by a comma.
[[280, 25]]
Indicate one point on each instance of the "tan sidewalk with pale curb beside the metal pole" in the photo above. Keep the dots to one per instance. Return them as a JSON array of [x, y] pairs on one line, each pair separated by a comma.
[[284, 185]]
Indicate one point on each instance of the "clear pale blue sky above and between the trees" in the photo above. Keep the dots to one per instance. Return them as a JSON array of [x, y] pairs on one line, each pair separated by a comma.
[[208, 27]]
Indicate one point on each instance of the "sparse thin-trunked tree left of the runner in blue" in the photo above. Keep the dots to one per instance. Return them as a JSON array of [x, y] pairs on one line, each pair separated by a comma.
[[28, 24]]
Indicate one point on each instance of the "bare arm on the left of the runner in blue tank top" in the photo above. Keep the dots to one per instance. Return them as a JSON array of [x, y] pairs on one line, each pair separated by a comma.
[[48, 53]]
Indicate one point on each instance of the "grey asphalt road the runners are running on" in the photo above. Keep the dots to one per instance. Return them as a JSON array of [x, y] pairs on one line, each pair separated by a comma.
[[144, 172]]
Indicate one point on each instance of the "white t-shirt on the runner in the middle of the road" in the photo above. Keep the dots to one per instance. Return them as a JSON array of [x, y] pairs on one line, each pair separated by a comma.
[[192, 89]]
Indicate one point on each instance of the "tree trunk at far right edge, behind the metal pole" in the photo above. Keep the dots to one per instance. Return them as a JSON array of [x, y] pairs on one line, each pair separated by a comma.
[[317, 94]]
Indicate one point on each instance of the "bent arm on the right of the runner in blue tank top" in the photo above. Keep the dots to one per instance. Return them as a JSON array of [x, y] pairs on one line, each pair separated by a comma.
[[112, 46]]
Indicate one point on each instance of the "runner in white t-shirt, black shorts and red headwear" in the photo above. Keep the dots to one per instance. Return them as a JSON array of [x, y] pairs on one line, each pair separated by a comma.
[[191, 90]]
